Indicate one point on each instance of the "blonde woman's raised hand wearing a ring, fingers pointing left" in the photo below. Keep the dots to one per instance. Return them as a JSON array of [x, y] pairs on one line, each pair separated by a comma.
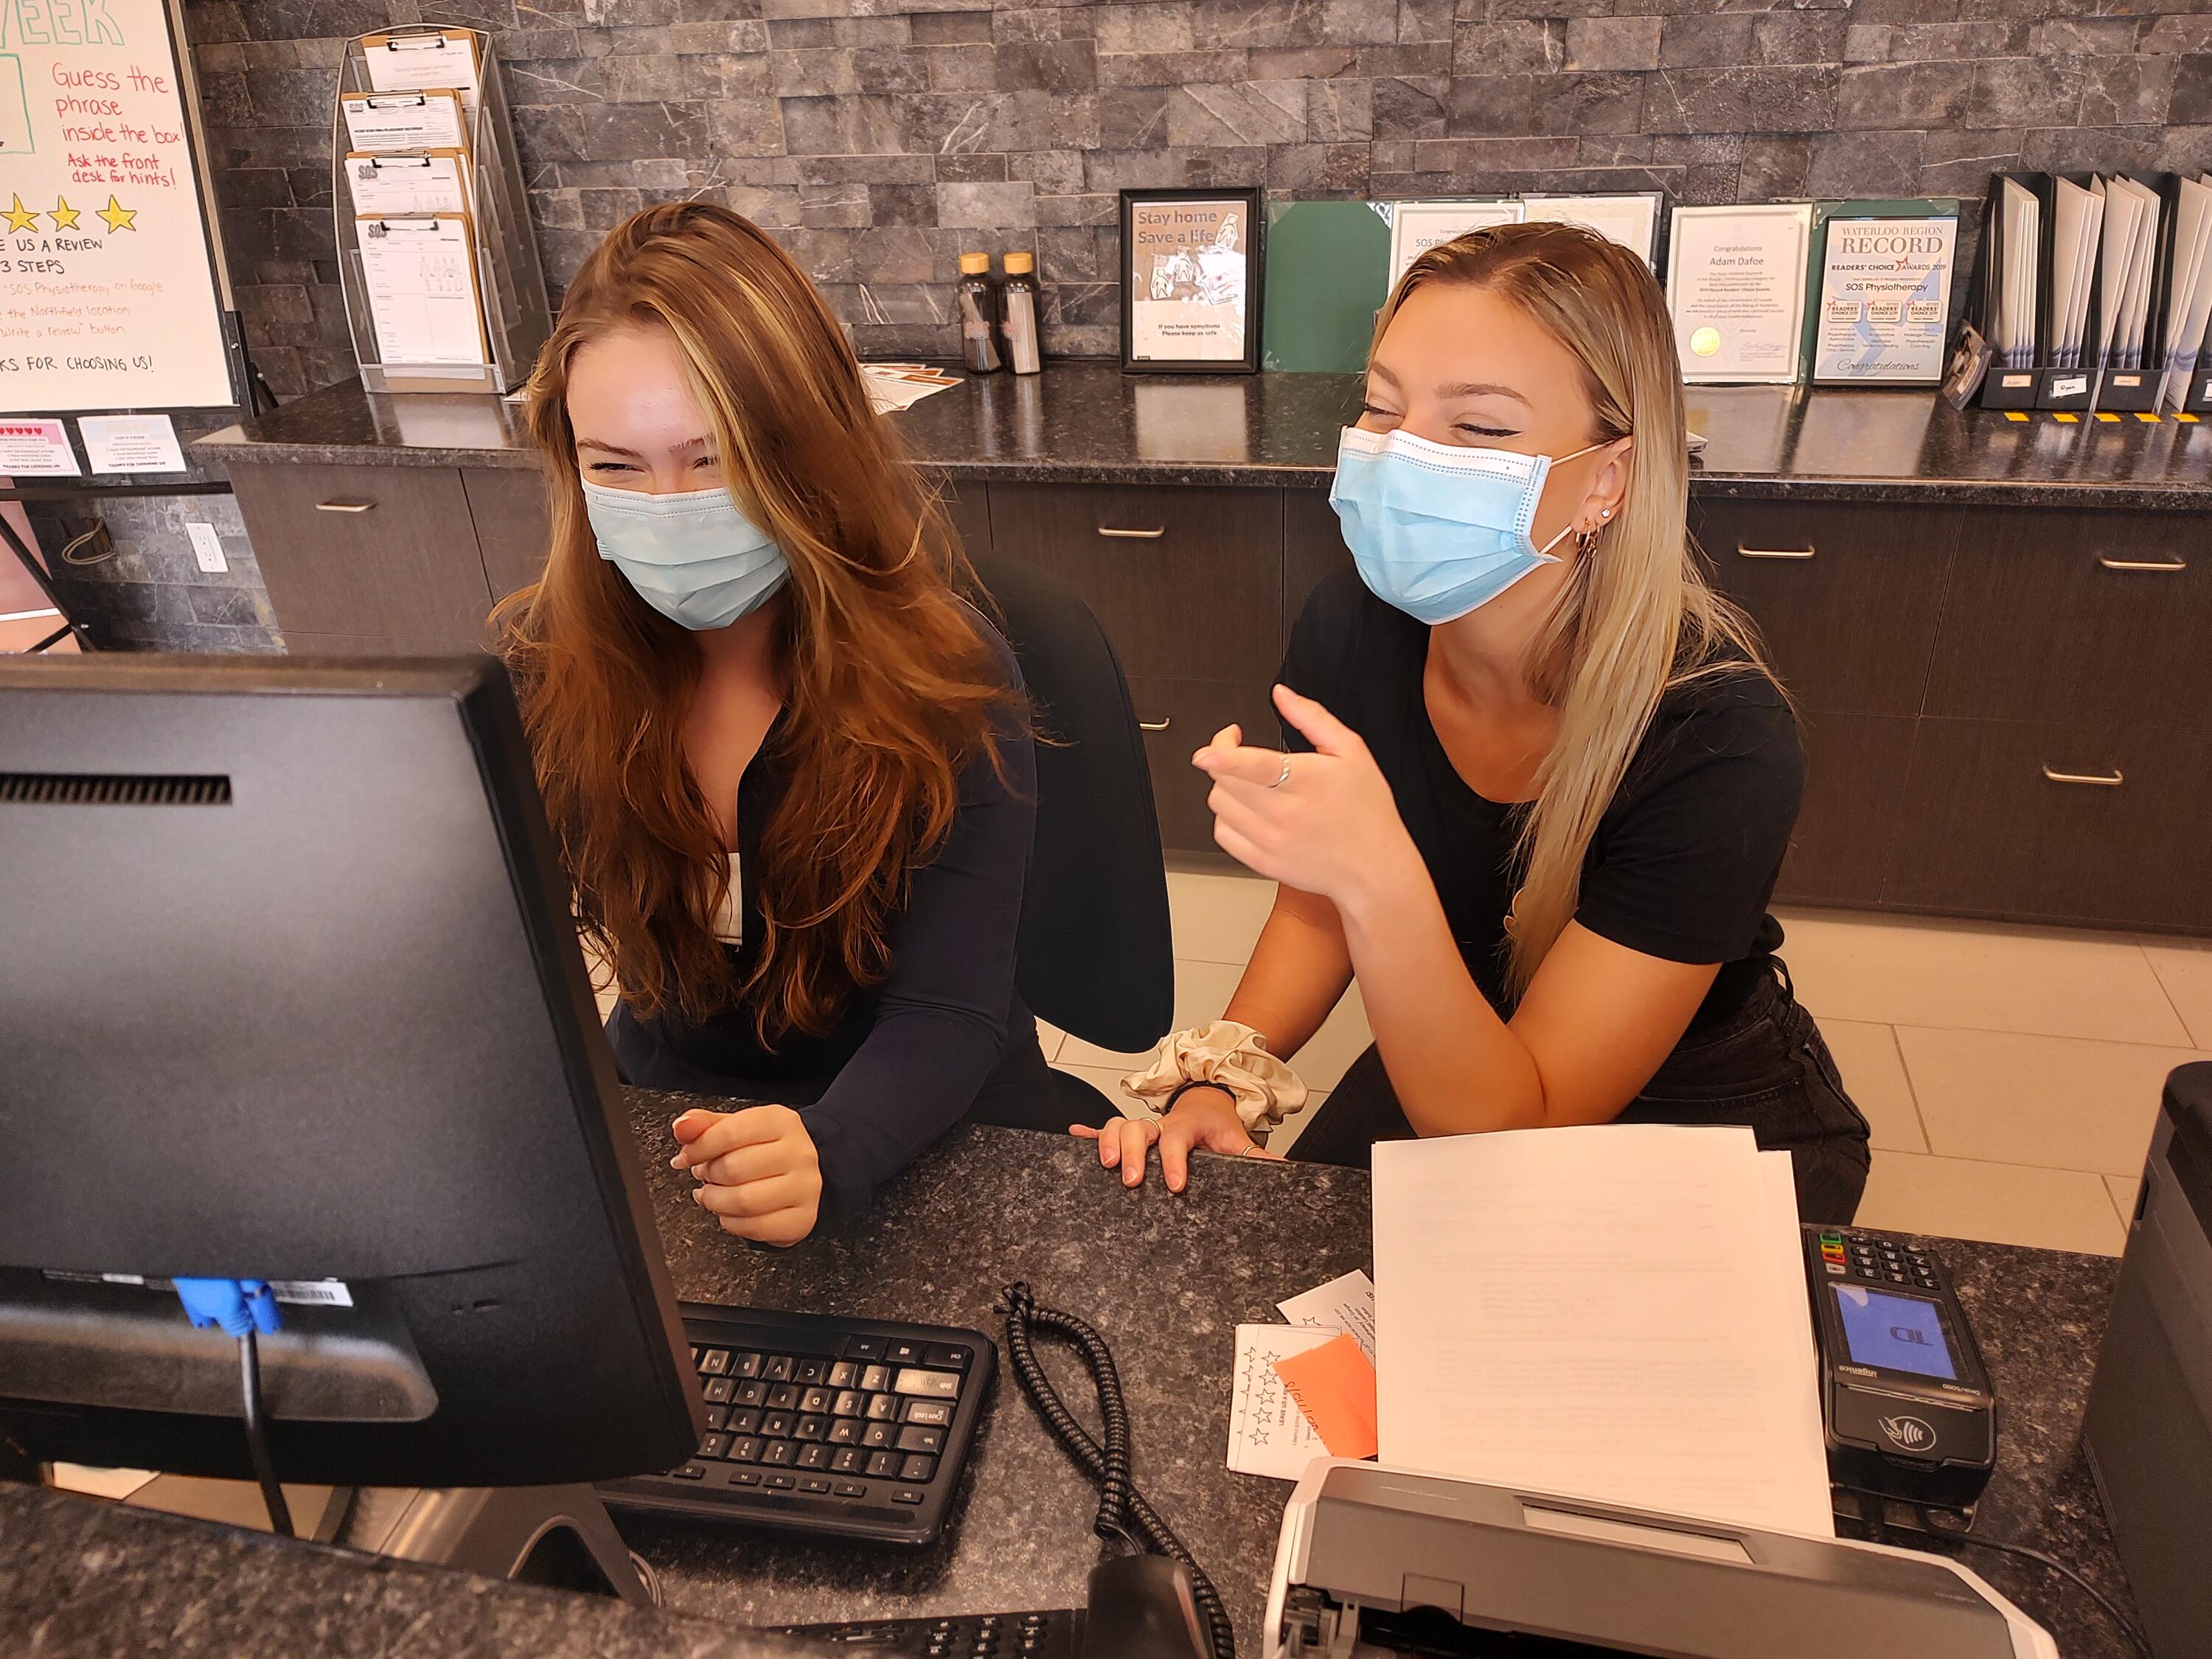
[[1326, 828]]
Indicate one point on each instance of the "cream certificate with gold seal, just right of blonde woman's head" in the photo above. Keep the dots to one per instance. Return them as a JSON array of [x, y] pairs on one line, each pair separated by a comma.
[[1735, 284]]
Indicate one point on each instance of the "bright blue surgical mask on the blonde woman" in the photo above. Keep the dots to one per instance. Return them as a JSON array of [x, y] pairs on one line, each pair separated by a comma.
[[1439, 530]]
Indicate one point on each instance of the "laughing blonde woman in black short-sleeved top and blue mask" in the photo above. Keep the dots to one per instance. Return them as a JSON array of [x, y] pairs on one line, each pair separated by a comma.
[[1538, 780]]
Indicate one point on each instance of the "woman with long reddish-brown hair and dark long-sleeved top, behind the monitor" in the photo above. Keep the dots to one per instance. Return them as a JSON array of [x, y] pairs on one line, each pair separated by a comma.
[[789, 766]]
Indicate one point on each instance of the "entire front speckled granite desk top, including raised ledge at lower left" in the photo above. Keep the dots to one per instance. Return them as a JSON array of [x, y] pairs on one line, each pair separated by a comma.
[[1165, 1280]]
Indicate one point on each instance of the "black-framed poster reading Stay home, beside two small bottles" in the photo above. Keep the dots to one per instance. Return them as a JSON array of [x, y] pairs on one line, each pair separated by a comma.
[[1191, 282]]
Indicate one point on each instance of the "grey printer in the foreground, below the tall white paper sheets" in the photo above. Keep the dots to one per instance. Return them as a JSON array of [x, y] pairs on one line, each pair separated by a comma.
[[1381, 1563]]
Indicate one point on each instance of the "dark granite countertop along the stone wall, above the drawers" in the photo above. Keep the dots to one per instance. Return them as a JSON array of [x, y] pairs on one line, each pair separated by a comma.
[[1087, 424]]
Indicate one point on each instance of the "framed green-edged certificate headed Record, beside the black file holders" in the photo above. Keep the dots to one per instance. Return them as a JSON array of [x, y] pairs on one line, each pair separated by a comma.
[[1886, 298]]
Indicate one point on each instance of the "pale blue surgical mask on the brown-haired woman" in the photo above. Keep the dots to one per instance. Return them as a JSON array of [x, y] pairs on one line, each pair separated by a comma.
[[691, 556]]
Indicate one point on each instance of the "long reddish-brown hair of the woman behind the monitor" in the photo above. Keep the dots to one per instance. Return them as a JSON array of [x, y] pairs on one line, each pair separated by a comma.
[[890, 687]]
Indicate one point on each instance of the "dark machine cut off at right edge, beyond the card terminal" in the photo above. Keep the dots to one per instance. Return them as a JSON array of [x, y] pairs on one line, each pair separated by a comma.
[[2149, 1428]]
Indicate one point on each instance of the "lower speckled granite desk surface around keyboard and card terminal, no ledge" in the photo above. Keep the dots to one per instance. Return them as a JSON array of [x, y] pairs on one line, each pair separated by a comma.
[[1167, 1280]]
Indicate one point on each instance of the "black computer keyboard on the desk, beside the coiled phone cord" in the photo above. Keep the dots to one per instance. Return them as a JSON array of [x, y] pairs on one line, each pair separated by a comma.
[[826, 1426]]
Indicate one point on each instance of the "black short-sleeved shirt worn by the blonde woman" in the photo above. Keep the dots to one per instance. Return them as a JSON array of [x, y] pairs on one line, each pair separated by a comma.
[[1684, 857]]
